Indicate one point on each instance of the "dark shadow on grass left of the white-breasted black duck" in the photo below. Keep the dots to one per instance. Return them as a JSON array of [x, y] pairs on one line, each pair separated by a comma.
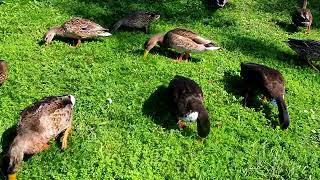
[[159, 108]]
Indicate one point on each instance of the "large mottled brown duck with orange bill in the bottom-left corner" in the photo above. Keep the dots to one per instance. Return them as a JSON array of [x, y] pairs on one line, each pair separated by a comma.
[[39, 123]]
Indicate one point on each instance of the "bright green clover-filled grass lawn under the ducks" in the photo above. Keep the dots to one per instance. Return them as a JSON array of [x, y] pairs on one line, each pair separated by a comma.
[[125, 139]]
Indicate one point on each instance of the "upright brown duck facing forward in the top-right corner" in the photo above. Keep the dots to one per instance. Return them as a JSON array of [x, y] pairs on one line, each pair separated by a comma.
[[303, 17]]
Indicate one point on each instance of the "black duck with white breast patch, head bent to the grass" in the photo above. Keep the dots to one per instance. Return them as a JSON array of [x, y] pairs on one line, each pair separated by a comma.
[[187, 101]]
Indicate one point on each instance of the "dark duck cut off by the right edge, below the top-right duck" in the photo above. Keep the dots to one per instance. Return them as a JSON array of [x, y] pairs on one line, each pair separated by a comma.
[[307, 50]]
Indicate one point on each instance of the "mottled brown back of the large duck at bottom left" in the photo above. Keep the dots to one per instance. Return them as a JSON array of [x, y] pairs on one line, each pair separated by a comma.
[[48, 117]]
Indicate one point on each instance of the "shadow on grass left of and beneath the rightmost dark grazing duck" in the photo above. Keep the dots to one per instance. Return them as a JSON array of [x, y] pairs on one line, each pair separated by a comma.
[[233, 84]]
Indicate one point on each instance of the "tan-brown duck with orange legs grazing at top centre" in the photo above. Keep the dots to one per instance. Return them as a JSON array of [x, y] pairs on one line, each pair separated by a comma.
[[182, 40]]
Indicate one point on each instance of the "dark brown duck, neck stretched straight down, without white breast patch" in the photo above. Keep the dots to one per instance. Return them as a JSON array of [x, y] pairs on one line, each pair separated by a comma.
[[268, 81]]
